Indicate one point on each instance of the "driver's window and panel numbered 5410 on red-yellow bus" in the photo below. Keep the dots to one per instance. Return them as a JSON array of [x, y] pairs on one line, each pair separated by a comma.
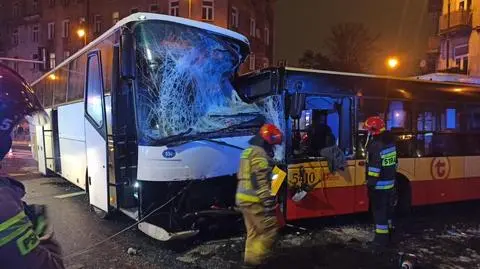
[[325, 192]]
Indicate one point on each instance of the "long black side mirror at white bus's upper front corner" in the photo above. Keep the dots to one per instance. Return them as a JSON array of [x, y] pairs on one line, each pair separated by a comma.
[[127, 56]]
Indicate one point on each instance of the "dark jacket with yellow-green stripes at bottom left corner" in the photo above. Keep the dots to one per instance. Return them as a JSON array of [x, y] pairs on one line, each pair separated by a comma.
[[20, 247]]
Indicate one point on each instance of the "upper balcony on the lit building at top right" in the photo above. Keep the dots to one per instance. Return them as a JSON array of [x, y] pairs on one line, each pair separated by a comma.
[[458, 21]]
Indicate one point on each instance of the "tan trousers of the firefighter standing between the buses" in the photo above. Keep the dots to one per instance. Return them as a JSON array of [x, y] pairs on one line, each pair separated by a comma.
[[262, 233]]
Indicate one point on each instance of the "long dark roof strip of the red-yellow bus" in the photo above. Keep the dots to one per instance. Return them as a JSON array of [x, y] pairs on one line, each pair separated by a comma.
[[376, 86]]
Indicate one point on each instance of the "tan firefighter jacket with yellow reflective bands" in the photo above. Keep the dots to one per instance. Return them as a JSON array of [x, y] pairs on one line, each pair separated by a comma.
[[254, 177]]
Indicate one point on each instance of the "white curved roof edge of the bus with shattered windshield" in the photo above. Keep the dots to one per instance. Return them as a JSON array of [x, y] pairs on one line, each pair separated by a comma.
[[142, 16]]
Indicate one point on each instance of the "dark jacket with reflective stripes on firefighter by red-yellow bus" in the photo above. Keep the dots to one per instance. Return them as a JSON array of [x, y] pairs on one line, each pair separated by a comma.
[[381, 164]]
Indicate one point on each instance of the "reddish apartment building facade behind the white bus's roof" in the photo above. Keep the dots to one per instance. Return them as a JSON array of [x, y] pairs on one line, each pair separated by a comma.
[[28, 25]]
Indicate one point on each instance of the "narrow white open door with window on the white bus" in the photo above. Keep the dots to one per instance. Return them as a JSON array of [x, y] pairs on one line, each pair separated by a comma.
[[96, 135]]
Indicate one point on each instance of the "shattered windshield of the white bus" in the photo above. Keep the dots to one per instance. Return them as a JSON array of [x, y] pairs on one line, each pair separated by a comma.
[[185, 82]]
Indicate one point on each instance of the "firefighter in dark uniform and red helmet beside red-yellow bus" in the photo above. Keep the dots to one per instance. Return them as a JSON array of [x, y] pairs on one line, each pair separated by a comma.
[[381, 174]]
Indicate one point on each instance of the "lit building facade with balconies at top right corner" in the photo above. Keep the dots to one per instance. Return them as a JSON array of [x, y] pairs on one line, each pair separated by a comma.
[[456, 42]]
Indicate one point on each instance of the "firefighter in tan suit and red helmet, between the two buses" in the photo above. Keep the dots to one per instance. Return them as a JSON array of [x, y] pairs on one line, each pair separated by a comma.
[[254, 197]]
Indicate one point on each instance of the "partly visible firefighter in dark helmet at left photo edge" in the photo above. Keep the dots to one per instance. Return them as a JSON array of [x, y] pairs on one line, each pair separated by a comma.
[[23, 239]]
